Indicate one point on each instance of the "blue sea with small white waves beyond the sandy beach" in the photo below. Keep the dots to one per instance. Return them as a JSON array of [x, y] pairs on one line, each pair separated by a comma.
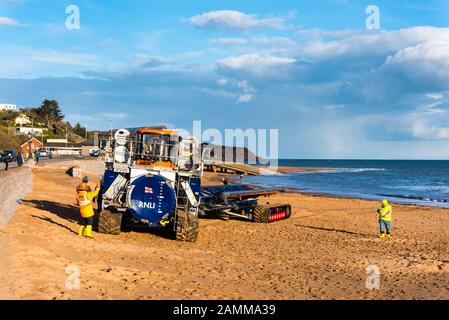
[[420, 182]]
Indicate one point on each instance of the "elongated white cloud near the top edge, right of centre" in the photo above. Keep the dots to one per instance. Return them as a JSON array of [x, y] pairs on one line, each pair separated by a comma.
[[234, 20]]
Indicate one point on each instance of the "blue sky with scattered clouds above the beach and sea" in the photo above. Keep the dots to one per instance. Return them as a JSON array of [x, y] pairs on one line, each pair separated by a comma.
[[318, 71]]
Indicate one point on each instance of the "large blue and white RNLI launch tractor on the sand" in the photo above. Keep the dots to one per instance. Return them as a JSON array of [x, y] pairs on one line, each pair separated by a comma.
[[153, 177]]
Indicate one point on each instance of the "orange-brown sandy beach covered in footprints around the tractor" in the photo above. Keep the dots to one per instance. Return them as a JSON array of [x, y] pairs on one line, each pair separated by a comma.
[[321, 252]]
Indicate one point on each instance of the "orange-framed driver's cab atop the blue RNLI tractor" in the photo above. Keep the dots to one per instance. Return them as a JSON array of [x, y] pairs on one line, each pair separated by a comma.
[[155, 147]]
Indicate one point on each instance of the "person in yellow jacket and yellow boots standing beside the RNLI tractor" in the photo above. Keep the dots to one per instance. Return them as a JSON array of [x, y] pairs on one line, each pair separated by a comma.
[[84, 200]]
